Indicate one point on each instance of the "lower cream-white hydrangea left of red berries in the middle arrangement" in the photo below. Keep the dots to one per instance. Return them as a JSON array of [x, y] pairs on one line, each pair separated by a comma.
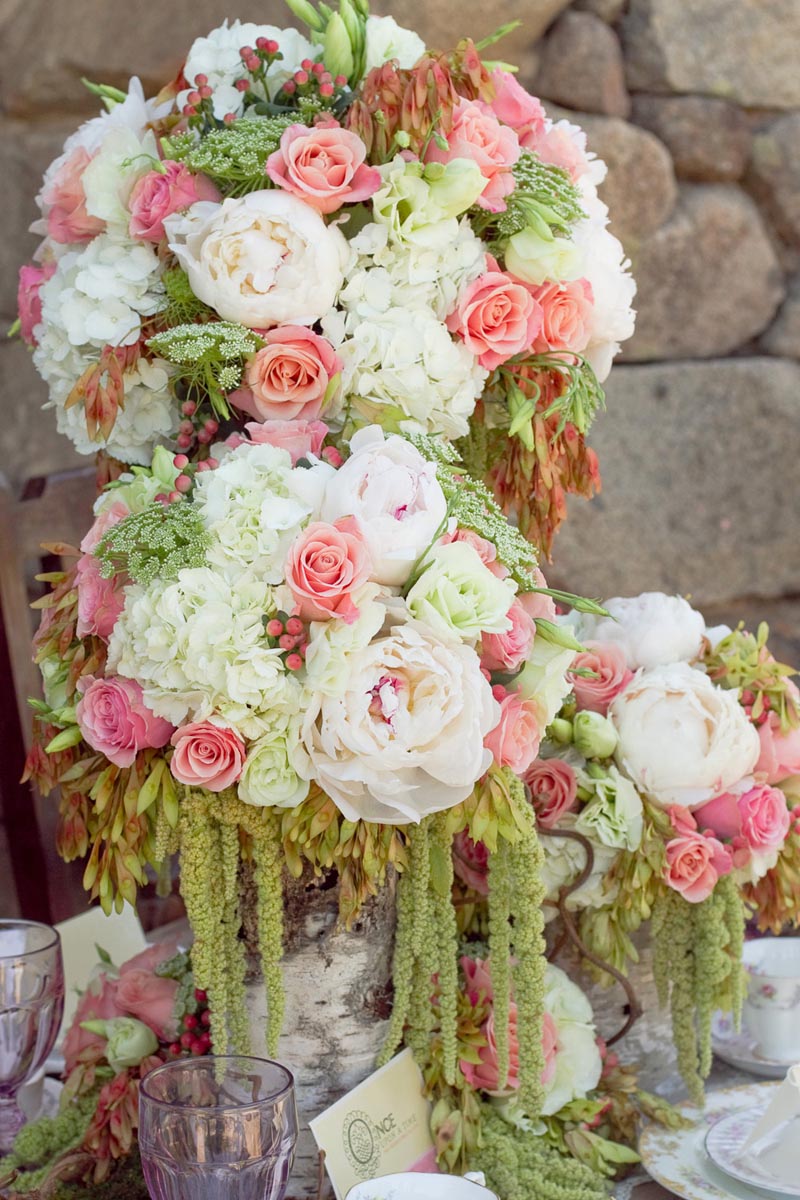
[[199, 647]]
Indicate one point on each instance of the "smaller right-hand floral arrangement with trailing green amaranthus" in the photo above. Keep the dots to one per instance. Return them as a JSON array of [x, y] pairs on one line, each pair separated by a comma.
[[666, 790]]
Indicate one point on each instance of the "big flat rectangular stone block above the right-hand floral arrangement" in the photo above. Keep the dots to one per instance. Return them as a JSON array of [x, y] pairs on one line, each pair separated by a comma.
[[693, 458]]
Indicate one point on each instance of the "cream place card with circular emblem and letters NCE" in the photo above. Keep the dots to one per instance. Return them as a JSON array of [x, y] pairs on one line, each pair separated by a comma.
[[382, 1127]]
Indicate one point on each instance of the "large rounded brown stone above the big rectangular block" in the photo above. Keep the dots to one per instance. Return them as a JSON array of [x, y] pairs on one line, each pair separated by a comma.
[[708, 280]]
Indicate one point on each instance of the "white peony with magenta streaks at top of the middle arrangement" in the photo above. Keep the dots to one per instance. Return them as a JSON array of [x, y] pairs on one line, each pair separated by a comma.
[[395, 496]]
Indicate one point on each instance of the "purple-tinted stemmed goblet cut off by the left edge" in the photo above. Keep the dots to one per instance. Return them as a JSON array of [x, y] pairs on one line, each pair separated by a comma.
[[32, 1006]]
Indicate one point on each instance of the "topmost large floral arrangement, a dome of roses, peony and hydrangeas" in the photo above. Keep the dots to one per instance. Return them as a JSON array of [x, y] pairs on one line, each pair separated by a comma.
[[344, 227]]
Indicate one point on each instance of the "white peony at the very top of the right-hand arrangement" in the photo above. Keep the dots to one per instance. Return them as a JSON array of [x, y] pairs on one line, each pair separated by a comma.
[[653, 629]]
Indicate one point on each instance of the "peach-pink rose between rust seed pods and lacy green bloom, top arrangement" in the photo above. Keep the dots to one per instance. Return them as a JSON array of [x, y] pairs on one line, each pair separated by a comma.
[[478, 135]]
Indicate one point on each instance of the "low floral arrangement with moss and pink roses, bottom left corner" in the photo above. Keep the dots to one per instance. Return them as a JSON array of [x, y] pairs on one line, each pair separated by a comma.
[[128, 1022]]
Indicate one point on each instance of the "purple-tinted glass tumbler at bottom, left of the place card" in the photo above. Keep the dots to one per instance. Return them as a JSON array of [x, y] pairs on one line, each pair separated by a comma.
[[218, 1129]]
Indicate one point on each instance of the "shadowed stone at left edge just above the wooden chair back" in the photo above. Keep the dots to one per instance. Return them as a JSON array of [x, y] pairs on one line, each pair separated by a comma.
[[29, 441]]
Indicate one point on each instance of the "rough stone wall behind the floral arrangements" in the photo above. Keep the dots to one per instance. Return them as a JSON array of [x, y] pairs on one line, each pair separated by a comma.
[[696, 109]]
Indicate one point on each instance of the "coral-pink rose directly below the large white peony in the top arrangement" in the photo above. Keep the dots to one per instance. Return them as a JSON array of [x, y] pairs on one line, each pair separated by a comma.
[[290, 379]]
